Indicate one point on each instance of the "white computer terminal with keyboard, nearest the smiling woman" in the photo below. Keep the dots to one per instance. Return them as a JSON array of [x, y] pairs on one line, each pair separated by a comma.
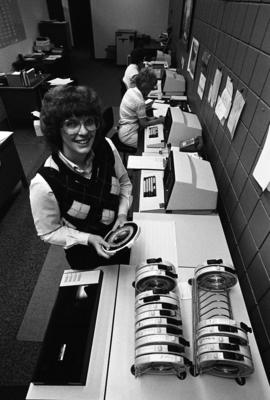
[[187, 184]]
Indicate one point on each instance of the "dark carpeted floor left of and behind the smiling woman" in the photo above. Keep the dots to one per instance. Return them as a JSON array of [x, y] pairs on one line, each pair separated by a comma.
[[22, 254]]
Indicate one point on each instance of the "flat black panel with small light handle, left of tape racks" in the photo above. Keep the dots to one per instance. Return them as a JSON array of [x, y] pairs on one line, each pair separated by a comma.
[[66, 348]]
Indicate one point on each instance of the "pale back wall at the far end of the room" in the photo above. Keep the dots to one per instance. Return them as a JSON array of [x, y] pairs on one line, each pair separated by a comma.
[[149, 17]]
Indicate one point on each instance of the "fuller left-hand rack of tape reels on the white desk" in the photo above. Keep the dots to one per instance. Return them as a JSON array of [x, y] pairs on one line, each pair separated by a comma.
[[159, 342]]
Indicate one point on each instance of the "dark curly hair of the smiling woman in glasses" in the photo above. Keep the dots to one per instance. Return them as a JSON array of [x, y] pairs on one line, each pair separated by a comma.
[[62, 102]]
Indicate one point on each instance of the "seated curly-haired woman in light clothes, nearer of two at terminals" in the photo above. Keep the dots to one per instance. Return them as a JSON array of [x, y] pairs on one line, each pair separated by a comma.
[[133, 110]]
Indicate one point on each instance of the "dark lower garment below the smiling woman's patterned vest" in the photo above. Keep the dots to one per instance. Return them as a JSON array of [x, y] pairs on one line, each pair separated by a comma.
[[86, 257]]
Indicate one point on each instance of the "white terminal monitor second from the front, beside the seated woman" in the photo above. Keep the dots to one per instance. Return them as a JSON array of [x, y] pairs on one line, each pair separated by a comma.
[[180, 125]]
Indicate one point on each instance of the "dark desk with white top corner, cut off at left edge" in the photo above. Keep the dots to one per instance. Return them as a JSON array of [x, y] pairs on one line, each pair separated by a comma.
[[11, 170]]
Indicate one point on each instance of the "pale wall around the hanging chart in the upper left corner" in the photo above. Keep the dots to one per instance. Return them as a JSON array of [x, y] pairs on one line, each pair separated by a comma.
[[32, 11]]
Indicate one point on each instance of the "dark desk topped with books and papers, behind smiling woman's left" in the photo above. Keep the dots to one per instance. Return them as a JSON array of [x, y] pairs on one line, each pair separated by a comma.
[[20, 101]]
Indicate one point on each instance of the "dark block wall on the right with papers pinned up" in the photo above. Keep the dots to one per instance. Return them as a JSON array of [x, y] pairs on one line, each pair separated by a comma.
[[237, 35]]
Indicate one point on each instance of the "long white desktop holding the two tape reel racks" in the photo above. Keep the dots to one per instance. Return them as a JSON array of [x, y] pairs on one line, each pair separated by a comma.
[[109, 376]]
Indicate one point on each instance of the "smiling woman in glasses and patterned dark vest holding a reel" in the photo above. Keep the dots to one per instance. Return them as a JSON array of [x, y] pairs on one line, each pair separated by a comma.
[[83, 190]]
